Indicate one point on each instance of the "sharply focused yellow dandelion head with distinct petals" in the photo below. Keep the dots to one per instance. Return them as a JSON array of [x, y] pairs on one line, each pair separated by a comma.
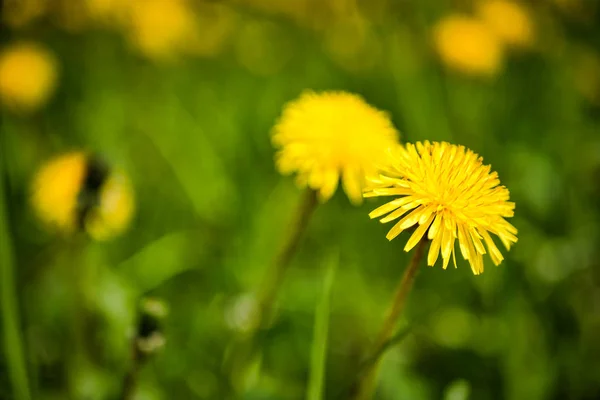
[[448, 192]]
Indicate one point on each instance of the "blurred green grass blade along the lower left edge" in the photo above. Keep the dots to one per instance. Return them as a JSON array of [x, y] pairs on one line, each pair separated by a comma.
[[13, 342]]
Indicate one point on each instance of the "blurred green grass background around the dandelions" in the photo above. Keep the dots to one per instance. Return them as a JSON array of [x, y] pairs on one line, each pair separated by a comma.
[[212, 212]]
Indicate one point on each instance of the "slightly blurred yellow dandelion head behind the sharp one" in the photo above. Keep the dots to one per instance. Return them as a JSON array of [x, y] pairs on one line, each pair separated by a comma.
[[325, 136]]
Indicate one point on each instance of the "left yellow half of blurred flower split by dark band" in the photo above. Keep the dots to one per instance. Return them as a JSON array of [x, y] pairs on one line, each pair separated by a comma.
[[56, 188]]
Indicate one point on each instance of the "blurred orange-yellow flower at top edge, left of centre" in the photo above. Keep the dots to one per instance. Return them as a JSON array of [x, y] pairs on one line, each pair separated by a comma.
[[163, 29]]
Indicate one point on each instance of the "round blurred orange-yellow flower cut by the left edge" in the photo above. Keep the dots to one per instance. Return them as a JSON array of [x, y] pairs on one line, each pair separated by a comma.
[[28, 74]]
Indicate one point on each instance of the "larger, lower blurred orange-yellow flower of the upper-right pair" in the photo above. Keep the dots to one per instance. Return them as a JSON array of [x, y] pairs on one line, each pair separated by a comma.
[[468, 45]]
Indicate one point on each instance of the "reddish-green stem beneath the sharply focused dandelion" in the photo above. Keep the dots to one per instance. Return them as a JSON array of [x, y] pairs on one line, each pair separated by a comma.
[[367, 380]]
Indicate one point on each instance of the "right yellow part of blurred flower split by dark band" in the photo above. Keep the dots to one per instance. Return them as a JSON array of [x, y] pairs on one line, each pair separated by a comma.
[[115, 208]]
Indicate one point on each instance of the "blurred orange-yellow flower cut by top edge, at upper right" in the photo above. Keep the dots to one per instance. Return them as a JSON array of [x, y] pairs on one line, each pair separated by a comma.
[[509, 20]]
